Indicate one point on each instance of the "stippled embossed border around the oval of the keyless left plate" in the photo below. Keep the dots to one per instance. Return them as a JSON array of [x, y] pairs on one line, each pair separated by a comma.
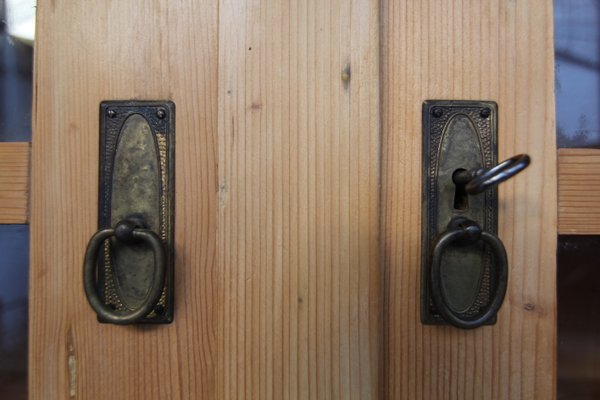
[[160, 116]]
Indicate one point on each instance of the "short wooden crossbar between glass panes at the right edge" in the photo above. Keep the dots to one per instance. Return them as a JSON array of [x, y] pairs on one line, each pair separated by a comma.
[[579, 191]]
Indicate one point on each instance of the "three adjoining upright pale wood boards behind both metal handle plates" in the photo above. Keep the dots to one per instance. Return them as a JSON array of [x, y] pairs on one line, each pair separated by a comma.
[[297, 215]]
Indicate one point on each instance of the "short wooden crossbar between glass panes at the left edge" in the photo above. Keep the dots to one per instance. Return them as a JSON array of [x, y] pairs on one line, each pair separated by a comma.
[[14, 182]]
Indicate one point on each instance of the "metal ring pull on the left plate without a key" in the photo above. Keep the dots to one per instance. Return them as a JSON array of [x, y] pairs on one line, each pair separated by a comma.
[[126, 231]]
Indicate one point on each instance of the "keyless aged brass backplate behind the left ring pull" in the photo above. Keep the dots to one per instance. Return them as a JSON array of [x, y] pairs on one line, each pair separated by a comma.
[[137, 172]]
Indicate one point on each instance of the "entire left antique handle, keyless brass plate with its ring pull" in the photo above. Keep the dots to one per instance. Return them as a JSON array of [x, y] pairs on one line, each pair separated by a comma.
[[128, 267]]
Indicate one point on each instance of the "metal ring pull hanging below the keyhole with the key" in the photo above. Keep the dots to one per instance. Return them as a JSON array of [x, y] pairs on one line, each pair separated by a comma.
[[467, 230]]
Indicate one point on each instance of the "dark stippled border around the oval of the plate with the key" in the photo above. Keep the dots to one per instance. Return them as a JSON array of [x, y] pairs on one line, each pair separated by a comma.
[[436, 115]]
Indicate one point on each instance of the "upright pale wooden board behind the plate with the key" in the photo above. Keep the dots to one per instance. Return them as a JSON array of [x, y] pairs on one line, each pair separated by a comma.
[[471, 49]]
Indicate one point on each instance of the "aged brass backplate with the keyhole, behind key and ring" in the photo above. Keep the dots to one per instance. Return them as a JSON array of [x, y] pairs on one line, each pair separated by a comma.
[[457, 135]]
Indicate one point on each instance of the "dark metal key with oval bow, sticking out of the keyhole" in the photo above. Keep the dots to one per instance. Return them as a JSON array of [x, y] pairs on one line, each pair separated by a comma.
[[480, 179]]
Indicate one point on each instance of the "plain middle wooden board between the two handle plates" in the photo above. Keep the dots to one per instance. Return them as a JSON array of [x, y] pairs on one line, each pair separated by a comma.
[[299, 199]]
